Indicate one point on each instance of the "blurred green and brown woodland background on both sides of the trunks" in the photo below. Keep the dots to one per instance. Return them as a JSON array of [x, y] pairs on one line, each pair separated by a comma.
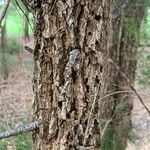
[[16, 73]]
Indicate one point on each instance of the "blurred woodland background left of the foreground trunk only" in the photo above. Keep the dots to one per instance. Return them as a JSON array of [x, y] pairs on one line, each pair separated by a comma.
[[16, 71]]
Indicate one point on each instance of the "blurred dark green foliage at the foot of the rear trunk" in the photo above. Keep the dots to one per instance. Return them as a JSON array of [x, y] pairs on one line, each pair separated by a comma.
[[115, 134]]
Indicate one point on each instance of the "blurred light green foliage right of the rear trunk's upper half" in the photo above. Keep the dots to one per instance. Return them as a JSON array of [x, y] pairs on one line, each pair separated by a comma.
[[143, 73]]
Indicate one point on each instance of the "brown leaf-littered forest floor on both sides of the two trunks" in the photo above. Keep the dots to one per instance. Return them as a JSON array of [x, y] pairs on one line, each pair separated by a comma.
[[16, 103]]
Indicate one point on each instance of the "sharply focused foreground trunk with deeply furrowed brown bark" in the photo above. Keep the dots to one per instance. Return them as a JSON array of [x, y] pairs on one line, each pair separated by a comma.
[[71, 37]]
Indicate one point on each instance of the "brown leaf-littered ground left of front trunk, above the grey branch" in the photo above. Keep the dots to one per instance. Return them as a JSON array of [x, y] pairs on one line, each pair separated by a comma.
[[16, 92]]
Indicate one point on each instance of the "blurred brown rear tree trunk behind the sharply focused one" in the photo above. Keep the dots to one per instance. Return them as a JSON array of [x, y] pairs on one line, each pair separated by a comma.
[[118, 107]]
